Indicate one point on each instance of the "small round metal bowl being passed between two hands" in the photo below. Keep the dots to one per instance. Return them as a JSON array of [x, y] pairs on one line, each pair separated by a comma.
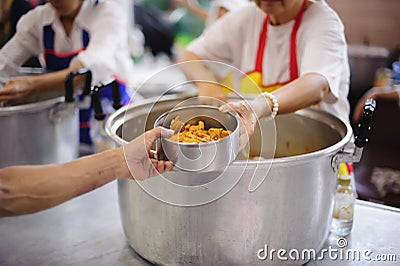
[[200, 157]]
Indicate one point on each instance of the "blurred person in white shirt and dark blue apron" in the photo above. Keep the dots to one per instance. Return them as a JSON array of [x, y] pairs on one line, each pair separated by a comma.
[[67, 35]]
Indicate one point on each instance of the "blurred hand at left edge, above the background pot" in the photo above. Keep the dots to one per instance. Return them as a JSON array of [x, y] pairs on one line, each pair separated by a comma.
[[15, 91]]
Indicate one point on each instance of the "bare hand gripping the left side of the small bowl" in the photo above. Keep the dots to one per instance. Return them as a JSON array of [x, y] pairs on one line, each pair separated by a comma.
[[141, 162]]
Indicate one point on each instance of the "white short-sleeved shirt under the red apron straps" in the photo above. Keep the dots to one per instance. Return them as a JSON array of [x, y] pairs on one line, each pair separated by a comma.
[[321, 48]]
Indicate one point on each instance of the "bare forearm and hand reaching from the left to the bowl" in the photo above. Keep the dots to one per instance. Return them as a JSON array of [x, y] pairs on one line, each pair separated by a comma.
[[28, 189]]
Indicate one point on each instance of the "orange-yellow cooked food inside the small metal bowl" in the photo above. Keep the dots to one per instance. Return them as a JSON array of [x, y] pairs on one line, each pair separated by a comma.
[[189, 133]]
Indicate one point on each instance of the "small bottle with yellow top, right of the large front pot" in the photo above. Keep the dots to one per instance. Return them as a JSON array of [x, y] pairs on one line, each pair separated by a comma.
[[343, 212]]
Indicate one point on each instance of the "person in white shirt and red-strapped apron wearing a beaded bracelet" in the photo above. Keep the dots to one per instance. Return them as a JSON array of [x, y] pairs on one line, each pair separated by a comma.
[[293, 50]]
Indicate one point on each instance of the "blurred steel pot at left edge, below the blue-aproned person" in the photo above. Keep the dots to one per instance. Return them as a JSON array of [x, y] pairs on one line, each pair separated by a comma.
[[43, 129]]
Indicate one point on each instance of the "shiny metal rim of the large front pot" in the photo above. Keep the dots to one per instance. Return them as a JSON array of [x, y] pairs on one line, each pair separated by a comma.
[[328, 151]]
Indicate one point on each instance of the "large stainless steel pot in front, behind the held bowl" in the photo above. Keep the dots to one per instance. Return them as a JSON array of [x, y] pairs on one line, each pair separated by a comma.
[[291, 209]]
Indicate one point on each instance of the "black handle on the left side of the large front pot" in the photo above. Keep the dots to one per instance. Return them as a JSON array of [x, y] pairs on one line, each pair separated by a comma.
[[98, 108]]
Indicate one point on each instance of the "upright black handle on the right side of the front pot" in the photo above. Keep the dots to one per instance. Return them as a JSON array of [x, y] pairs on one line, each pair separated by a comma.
[[360, 140]]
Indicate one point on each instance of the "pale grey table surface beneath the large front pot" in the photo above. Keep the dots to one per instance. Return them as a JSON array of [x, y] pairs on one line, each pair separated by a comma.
[[88, 231]]
